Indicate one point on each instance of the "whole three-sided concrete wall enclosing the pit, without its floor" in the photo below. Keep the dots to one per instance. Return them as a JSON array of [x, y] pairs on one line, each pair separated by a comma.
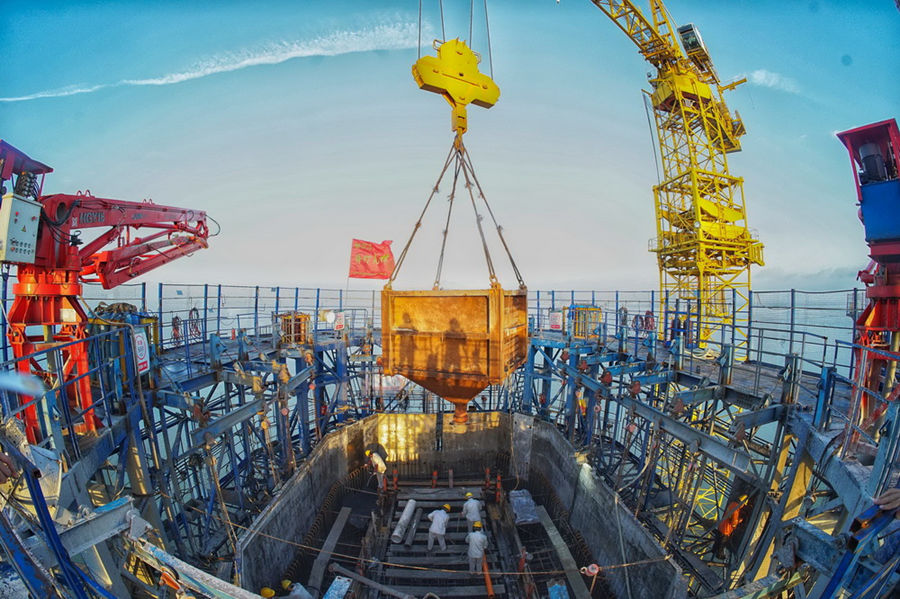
[[410, 439]]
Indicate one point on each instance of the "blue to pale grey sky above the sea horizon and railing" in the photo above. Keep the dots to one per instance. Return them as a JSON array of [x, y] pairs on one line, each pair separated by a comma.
[[297, 126]]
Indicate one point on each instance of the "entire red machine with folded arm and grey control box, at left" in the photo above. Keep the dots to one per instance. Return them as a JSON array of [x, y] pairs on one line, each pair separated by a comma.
[[41, 235]]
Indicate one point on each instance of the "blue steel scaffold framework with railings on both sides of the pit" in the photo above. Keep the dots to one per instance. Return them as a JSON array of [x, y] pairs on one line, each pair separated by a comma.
[[205, 439]]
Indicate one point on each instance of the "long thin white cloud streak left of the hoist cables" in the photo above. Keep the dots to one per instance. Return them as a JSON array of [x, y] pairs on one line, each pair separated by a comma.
[[397, 36]]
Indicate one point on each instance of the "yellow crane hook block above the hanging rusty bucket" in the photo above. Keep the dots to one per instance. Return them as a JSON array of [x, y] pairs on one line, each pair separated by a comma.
[[454, 74]]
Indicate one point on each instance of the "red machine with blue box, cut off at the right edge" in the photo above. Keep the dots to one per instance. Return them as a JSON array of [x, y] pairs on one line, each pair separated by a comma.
[[875, 153]]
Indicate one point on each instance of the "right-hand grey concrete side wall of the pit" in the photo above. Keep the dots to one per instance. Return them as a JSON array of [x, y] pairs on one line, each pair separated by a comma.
[[596, 513]]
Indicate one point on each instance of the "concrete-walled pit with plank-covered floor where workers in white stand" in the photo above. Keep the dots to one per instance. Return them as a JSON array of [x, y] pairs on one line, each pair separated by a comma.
[[331, 525]]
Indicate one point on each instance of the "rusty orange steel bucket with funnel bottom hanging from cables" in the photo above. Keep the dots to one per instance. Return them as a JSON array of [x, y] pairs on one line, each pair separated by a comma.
[[454, 343]]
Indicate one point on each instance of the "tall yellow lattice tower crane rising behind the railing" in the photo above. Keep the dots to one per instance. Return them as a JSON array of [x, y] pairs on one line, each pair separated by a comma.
[[703, 245]]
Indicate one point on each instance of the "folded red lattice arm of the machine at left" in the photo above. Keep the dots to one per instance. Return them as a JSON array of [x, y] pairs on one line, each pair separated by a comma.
[[172, 233]]
